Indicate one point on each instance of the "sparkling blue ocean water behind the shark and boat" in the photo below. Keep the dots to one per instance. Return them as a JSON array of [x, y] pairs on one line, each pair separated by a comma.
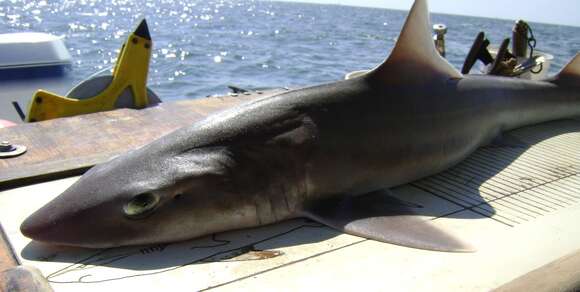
[[200, 47]]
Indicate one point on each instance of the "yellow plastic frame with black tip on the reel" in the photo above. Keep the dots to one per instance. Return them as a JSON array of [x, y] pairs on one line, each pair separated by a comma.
[[130, 72]]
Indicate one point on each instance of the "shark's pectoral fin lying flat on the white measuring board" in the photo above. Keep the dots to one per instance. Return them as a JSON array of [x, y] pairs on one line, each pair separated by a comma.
[[381, 217]]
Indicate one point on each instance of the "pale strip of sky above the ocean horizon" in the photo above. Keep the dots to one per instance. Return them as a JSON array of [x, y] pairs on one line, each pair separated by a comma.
[[565, 12]]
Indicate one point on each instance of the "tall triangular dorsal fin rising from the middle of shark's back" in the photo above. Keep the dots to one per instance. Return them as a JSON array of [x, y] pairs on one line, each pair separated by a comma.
[[415, 60]]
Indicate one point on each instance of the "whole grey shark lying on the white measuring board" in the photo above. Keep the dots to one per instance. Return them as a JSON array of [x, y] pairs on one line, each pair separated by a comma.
[[320, 152]]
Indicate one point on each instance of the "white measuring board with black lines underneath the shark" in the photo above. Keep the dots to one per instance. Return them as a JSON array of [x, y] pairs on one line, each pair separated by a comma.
[[518, 206]]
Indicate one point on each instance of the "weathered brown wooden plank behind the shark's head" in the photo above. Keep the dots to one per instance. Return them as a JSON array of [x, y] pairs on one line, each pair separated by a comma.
[[67, 146]]
